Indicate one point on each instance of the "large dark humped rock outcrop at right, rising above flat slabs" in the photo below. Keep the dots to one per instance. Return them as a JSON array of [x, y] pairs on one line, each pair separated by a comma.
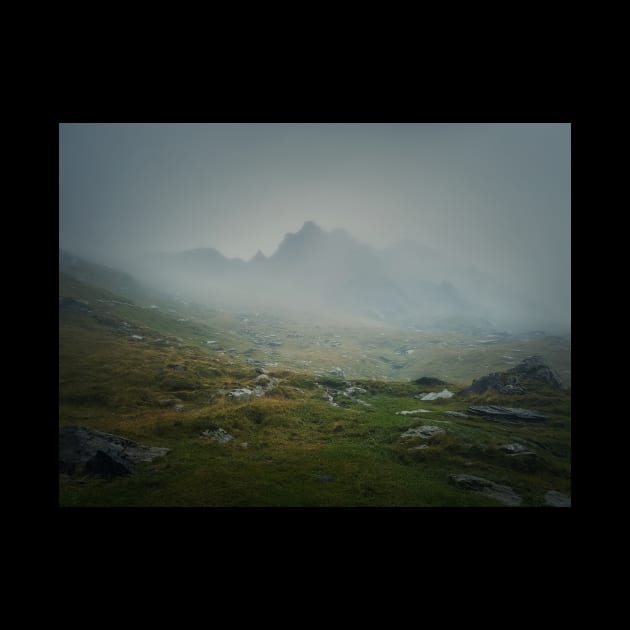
[[530, 372]]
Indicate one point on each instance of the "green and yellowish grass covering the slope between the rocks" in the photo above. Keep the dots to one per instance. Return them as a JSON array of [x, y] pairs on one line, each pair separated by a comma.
[[111, 383]]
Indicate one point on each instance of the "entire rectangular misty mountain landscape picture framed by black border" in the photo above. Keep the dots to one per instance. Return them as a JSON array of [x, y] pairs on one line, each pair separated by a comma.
[[315, 315]]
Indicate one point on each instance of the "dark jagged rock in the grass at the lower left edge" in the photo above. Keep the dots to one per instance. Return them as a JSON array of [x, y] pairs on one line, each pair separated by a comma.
[[101, 453]]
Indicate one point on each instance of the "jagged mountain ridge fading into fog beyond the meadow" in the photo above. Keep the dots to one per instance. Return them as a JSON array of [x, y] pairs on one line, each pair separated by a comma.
[[406, 284]]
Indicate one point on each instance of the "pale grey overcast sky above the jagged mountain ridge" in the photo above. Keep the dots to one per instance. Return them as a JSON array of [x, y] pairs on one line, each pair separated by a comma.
[[496, 195]]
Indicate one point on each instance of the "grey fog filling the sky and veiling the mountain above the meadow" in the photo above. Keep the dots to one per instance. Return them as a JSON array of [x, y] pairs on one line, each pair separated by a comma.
[[484, 207]]
